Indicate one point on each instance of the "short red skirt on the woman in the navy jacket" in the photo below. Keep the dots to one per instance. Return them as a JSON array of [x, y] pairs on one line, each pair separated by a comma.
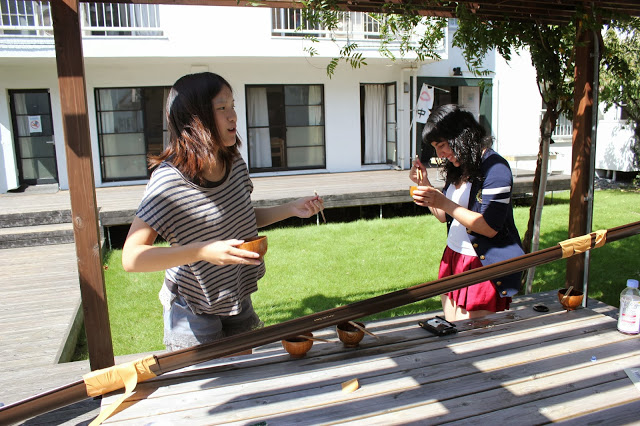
[[476, 297]]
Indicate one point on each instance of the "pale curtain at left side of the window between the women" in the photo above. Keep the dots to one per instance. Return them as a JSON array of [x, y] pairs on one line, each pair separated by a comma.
[[259, 138]]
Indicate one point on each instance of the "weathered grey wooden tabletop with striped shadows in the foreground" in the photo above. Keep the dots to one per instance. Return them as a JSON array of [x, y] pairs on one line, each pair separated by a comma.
[[516, 367]]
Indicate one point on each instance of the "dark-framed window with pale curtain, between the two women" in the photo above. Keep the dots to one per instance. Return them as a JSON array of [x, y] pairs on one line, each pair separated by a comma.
[[285, 127]]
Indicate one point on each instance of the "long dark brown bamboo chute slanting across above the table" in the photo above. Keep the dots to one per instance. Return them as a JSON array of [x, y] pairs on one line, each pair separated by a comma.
[[171, 361]]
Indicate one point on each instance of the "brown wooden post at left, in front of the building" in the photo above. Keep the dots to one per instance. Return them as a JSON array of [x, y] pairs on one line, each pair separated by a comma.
[[84, 212]]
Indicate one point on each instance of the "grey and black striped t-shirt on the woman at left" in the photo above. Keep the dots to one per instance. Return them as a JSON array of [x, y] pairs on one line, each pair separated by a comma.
[[183, 212]]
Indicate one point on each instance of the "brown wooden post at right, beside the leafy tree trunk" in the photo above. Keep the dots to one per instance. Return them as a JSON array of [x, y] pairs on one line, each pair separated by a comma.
[[581, 152]]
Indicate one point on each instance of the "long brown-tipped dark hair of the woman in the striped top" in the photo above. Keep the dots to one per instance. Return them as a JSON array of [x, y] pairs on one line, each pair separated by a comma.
[[194, 139]]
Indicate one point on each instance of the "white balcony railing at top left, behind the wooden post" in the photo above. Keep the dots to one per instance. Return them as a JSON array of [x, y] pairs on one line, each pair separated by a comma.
[[33, 18]]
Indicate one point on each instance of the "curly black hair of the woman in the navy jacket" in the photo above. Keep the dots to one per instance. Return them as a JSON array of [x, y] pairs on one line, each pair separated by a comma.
[[466, 137]]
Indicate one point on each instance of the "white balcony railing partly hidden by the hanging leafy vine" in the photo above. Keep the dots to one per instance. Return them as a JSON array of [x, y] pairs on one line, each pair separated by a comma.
[[353, 26]]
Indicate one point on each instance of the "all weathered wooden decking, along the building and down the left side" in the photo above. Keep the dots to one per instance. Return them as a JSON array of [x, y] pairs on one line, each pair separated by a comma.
[[39, 290]]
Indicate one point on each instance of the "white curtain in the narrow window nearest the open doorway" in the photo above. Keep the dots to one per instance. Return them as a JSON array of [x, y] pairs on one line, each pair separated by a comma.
[[375, 120]]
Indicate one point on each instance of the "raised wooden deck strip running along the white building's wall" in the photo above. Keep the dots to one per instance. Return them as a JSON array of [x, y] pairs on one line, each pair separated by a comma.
[[117, 205]]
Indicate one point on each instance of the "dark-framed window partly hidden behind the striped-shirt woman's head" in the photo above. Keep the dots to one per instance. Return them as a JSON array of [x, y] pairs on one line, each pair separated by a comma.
[[130, 126]]
